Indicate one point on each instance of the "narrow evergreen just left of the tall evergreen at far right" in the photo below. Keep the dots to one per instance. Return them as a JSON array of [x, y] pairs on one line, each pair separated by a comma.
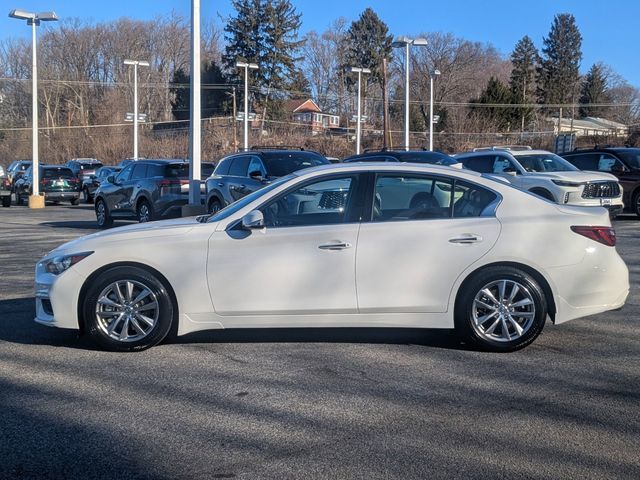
[[525, 59]]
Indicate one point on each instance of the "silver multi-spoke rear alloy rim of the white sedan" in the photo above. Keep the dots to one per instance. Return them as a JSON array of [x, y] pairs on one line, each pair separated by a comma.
[[503, 311]]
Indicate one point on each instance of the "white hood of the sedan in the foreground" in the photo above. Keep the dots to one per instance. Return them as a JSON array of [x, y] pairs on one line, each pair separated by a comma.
[[164, 228]]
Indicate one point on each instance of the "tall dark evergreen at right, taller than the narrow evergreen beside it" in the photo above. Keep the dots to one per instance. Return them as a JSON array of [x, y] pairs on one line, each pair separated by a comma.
[[559, 74]]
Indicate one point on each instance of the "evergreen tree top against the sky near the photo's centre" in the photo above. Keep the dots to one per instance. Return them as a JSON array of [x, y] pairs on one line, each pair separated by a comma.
[[367, 43]]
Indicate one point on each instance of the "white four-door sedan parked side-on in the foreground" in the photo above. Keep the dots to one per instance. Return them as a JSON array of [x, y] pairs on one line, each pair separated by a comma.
[[351, 245]]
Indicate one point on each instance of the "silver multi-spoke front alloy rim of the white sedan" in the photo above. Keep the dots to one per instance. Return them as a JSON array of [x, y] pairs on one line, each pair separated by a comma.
[[127, 310]]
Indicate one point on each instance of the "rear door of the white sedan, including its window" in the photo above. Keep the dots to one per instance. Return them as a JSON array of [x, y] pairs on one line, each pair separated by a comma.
[[420, 240]]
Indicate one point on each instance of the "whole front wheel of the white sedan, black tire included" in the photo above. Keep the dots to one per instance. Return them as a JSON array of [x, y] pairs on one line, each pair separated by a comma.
[[98, 326]]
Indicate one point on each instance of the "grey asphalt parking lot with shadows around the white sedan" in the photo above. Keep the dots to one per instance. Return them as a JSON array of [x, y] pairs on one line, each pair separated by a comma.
[[307, 403]]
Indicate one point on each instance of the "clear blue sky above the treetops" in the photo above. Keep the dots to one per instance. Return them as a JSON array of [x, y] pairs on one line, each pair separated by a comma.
[[609, 28]]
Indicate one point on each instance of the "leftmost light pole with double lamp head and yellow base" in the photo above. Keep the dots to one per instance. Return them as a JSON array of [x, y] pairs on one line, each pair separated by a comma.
[[33, 20]]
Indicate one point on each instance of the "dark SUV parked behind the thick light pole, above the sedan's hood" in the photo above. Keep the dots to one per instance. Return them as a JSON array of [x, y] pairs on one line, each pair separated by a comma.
[[145, 190]]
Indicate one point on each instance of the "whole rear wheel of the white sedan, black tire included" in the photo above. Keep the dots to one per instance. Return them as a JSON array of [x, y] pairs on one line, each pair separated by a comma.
[[479, 333]]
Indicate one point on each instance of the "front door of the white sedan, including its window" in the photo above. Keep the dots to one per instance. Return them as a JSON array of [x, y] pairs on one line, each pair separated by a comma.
[[302, 262]]
